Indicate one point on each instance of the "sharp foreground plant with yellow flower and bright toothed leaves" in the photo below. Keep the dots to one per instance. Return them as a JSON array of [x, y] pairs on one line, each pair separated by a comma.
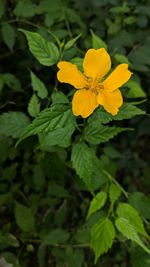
[[97, 101]]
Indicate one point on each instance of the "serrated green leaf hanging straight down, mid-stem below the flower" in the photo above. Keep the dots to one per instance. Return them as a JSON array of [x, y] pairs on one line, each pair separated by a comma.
[[82, 160]]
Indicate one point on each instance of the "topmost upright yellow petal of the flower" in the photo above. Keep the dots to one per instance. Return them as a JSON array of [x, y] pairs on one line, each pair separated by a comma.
[[96, 63]]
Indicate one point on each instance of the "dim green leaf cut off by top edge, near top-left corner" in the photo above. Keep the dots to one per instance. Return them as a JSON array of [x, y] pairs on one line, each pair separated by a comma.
[[25, 8]]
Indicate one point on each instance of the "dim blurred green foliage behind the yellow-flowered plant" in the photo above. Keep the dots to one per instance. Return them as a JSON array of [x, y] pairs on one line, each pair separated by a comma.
[[41, 197]]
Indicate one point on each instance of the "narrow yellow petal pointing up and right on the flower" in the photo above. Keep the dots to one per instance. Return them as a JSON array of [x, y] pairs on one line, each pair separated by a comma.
[[117, 78]]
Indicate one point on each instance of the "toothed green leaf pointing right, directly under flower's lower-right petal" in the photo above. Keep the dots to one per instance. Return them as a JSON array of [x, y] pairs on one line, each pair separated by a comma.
[[127, 111]]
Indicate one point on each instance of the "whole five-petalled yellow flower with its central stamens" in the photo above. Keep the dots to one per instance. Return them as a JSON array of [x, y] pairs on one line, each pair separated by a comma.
[[93, 90]]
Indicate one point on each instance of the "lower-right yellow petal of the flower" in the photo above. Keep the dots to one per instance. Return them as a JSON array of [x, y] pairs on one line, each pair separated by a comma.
[[111, 101]]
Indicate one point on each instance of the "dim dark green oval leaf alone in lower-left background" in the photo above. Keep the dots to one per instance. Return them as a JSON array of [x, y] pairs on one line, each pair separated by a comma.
[[24, 217]]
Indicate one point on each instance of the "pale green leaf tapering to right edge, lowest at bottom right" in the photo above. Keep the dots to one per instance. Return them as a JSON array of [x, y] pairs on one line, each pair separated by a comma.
[[127, 229]]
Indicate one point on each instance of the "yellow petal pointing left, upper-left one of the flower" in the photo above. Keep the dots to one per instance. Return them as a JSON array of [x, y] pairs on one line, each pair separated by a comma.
[[69, 73]]
